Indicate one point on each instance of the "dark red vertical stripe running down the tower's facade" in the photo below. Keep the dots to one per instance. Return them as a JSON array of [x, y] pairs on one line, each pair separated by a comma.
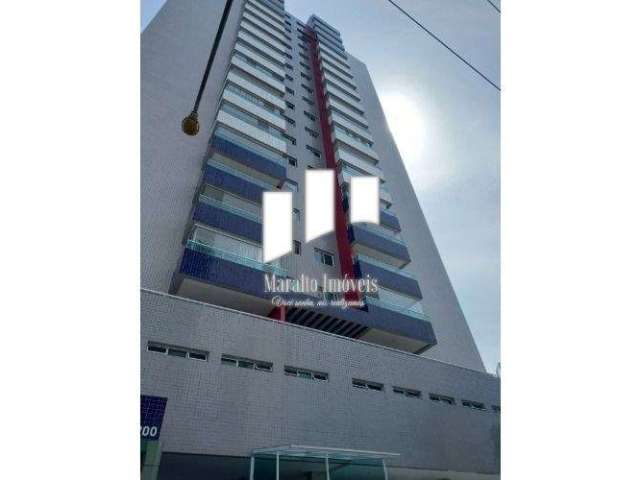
[[342, 237]]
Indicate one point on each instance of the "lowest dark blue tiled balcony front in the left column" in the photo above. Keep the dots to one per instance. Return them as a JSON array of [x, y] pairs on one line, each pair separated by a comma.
[[222, 273]]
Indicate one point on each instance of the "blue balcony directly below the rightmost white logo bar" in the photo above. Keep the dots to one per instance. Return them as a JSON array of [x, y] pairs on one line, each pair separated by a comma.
[[372, 243]]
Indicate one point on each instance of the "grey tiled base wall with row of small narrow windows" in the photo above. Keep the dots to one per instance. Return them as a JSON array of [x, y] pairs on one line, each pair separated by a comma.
[[217, 410]]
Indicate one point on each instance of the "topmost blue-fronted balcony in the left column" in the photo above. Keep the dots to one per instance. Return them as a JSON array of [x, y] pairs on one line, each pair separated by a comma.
[[232, 150]]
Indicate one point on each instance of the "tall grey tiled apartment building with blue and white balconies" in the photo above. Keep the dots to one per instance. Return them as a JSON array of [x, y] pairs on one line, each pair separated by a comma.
[[393, 389]]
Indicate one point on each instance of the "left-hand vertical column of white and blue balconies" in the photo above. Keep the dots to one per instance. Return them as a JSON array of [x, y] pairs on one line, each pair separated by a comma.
[[247, 155]]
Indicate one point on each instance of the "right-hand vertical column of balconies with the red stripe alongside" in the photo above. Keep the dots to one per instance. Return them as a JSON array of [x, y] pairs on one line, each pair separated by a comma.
[[375, 250]]
